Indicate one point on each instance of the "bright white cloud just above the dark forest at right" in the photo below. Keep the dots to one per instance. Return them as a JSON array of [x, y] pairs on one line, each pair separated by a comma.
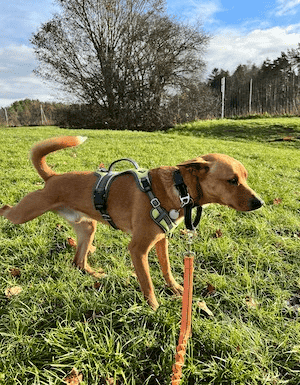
[[229, 47]]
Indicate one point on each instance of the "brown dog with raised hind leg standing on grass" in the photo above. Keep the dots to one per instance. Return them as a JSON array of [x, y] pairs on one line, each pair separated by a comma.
[[212, 178]]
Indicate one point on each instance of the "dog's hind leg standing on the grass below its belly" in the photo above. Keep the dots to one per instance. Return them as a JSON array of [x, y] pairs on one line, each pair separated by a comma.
[[85, 231]]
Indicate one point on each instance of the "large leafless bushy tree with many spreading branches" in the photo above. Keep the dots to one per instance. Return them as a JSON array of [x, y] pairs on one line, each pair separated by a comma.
[[124, 56]]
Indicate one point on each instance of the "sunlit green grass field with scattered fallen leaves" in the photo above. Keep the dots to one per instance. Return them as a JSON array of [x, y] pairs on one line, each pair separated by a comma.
[[60, 320]]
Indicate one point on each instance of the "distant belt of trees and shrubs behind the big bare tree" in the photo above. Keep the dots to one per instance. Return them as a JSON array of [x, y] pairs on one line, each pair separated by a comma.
[[272, 88]]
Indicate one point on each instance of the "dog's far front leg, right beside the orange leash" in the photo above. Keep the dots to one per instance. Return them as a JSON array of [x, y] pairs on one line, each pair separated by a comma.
[[163, 257]]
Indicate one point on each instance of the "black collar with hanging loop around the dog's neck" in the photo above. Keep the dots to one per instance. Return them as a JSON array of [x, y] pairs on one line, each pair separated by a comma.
[[186, 202]]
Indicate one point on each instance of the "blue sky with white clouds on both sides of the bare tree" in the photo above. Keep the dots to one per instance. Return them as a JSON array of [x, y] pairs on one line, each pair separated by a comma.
[[241, 33]]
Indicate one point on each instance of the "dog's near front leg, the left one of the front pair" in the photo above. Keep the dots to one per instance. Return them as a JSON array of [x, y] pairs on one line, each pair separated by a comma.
[[139, 255]]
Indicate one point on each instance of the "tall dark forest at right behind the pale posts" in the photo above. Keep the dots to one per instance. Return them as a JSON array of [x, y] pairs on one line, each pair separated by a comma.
[[272, 88]]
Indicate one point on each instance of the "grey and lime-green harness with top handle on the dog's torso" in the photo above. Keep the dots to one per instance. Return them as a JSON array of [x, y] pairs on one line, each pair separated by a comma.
[[143, 180]]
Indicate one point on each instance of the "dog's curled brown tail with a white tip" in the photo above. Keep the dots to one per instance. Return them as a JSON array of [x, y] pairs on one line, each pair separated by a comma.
[[42, 149]]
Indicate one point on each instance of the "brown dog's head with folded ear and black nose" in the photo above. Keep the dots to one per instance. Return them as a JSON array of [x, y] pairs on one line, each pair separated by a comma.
[[218, 178]]
